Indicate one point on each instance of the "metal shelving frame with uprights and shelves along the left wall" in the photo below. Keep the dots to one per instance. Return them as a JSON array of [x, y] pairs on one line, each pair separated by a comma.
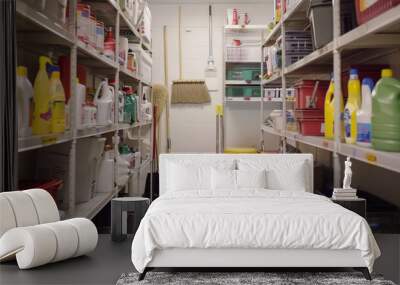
[[36, 29]]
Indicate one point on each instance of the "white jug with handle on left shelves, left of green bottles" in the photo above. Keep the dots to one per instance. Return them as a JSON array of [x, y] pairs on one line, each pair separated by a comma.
[[104, 100]]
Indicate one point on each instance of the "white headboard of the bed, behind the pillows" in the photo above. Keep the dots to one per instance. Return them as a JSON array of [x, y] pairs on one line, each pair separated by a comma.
[[210, 159]]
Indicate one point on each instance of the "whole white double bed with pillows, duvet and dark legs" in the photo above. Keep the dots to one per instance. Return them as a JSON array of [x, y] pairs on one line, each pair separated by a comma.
[[248, 227]]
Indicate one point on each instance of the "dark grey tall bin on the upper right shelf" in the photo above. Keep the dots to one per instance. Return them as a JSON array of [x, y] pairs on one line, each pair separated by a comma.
[[321, 18]]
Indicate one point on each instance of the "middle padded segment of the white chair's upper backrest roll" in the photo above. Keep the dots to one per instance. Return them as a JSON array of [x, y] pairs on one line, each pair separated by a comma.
[[45, 206]]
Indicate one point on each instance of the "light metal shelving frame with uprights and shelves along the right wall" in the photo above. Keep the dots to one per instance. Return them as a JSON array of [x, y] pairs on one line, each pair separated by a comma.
[[354, 47]]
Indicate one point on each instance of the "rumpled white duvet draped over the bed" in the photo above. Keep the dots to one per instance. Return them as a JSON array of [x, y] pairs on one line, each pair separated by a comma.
[[252, 218]]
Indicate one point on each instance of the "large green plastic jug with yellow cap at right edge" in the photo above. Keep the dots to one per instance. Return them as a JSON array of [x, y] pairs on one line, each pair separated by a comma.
[[386, 113]]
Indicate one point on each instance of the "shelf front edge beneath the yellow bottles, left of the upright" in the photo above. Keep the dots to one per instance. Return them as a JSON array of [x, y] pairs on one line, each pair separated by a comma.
[[39, 141]]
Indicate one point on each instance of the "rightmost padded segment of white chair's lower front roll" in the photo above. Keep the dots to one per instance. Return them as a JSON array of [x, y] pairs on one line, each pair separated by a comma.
[[87, 234]]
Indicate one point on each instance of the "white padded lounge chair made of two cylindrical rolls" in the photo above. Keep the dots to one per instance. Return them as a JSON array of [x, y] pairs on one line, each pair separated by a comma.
[[31, 230]]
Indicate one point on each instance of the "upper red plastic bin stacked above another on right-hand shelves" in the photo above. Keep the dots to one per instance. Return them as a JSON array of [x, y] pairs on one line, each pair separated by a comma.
[[304, 90]]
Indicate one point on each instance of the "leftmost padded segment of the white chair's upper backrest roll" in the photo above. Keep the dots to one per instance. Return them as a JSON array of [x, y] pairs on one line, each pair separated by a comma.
[[24, 209]]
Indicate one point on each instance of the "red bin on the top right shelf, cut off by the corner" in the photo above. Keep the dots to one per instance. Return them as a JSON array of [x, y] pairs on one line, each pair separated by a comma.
[[366, 10]]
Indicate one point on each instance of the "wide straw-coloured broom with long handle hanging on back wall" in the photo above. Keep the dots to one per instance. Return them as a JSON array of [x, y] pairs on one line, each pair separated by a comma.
[[188, 91]]
